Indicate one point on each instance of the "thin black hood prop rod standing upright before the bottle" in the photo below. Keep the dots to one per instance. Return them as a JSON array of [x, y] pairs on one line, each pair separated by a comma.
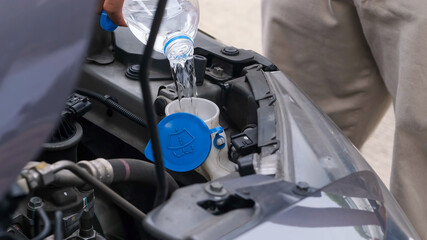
[[145, 65]]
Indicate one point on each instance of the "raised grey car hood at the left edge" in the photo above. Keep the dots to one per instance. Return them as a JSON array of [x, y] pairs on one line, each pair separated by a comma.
[[42, 44]]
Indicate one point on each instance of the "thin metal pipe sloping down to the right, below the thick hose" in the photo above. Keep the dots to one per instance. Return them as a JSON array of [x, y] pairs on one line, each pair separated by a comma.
[[99, 186]]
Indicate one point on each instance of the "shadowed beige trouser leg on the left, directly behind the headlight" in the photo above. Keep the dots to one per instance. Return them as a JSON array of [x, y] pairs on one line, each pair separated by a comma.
[[319, 44]]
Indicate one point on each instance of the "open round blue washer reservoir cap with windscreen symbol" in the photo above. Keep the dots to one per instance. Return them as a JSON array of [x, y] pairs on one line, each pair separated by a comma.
[[185, 140]]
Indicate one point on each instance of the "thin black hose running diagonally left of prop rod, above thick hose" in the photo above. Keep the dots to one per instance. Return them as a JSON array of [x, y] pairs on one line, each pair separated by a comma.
[[109, 102]]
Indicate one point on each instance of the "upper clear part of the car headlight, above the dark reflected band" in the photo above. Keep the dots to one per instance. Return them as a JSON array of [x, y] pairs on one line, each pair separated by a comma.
[[313, 149]]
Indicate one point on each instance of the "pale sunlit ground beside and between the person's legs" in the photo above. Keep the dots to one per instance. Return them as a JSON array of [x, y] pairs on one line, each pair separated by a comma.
[[238, 23]]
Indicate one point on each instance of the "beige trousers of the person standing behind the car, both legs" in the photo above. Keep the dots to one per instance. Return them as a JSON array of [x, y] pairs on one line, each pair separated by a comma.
[[350, 57]]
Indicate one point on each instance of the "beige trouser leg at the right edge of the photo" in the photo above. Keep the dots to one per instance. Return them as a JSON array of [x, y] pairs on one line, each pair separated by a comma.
[[397, 34]]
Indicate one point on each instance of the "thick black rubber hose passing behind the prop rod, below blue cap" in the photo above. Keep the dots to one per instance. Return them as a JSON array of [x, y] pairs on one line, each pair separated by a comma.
[[138, 171]]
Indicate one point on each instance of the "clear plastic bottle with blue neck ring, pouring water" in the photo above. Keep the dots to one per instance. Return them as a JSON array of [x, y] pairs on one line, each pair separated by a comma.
[[175, 37]]
